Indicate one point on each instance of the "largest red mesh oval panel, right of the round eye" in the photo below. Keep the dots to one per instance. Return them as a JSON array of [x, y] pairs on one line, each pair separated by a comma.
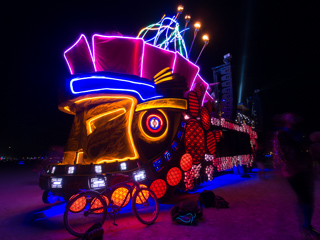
[[195, 141]]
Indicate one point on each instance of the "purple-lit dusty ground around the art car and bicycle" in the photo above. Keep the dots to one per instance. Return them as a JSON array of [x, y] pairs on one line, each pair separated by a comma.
[[259, 209]]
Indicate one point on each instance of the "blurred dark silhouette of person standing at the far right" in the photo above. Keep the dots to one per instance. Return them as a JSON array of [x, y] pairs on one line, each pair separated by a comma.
[[292, 156]]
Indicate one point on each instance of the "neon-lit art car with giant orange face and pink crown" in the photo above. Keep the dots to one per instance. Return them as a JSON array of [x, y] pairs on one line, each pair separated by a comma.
[[135, 101]]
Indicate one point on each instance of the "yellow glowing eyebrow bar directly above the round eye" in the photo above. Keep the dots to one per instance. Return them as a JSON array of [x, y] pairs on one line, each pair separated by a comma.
[[177, 103]]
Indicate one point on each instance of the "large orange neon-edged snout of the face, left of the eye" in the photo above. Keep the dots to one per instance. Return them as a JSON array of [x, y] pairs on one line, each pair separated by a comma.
[[101, 131]]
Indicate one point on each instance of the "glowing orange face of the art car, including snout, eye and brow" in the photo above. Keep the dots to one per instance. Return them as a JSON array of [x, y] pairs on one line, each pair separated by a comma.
[[109, 128]]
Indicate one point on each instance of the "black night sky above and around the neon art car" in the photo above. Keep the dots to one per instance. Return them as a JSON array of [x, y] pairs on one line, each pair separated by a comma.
[[279, 56]]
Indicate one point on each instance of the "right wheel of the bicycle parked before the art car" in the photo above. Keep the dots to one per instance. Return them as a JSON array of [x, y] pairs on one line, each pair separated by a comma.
[[145, 206]]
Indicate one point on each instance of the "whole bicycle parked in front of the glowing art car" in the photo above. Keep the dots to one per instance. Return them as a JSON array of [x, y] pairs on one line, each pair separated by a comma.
[[90, 207]]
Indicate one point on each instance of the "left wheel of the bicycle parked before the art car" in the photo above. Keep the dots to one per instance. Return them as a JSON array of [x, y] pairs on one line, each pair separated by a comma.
[[84, 210]]
